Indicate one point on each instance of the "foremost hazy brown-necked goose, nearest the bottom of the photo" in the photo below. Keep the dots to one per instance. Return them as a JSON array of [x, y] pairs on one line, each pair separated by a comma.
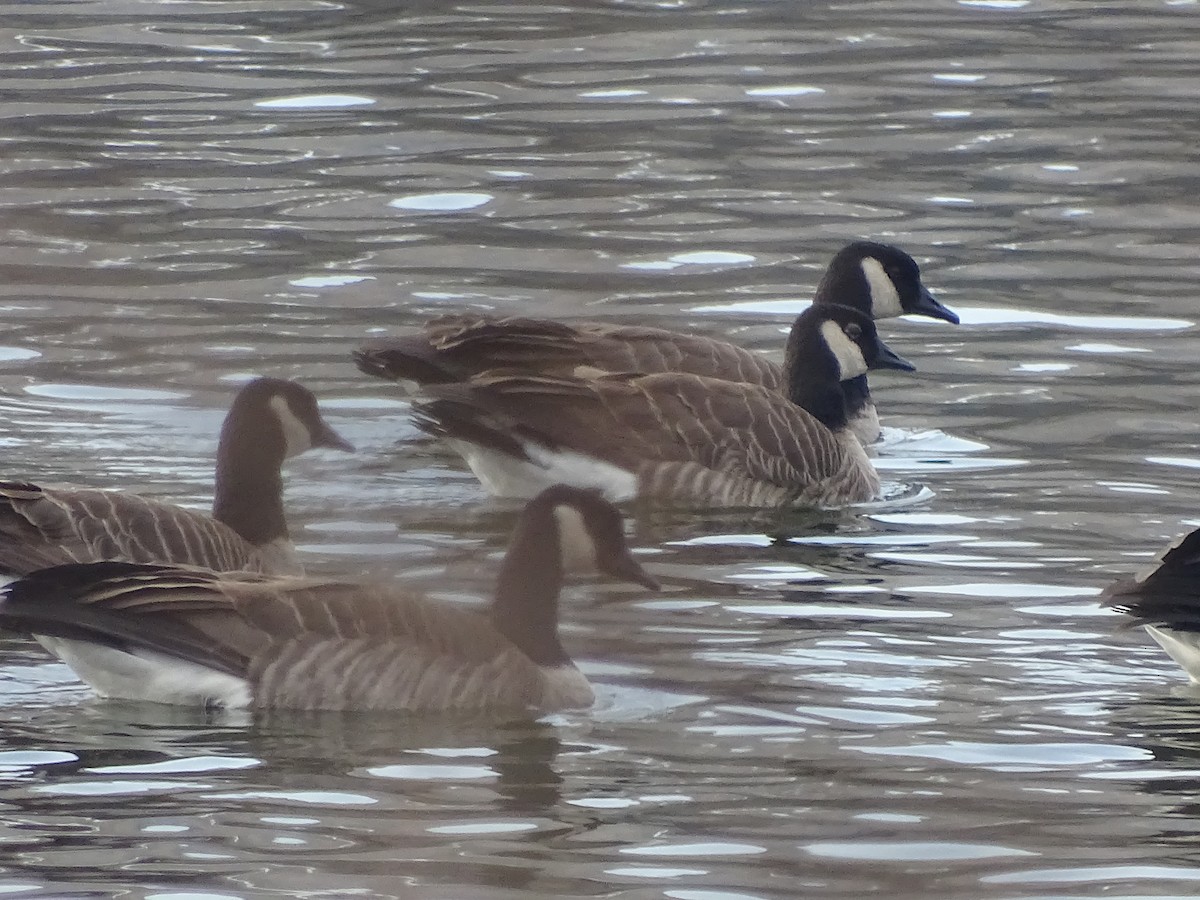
[[183, 635]]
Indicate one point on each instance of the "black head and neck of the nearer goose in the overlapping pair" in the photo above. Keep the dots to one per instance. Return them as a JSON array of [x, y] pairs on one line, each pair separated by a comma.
[[831, 345]]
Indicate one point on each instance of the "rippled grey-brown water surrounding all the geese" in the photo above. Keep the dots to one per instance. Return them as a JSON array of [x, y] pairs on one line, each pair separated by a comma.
[[921, 698]]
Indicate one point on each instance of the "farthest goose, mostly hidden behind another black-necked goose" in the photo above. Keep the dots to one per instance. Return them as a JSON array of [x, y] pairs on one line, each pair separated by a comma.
[[875, 279]]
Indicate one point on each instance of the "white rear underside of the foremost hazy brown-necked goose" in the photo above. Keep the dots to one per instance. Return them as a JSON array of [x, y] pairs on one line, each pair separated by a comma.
[[149, 676]]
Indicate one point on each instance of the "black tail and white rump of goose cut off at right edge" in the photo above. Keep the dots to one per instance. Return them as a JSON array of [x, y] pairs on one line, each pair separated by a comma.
[[1167, 601]]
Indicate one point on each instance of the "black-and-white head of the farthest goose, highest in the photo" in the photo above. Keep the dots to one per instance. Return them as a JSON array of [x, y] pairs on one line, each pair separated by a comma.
[[881, 281]]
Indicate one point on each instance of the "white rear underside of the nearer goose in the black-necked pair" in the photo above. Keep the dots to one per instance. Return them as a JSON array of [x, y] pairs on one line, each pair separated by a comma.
[[503, 476]]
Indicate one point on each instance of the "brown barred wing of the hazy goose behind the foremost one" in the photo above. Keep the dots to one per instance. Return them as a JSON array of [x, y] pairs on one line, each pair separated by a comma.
[[43, 527]]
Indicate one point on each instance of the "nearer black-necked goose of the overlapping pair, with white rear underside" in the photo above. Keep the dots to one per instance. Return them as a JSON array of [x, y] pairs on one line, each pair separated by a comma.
[[676, 437]]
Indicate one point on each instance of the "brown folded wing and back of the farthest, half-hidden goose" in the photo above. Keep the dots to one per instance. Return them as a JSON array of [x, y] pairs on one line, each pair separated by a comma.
[[459, 347]]
